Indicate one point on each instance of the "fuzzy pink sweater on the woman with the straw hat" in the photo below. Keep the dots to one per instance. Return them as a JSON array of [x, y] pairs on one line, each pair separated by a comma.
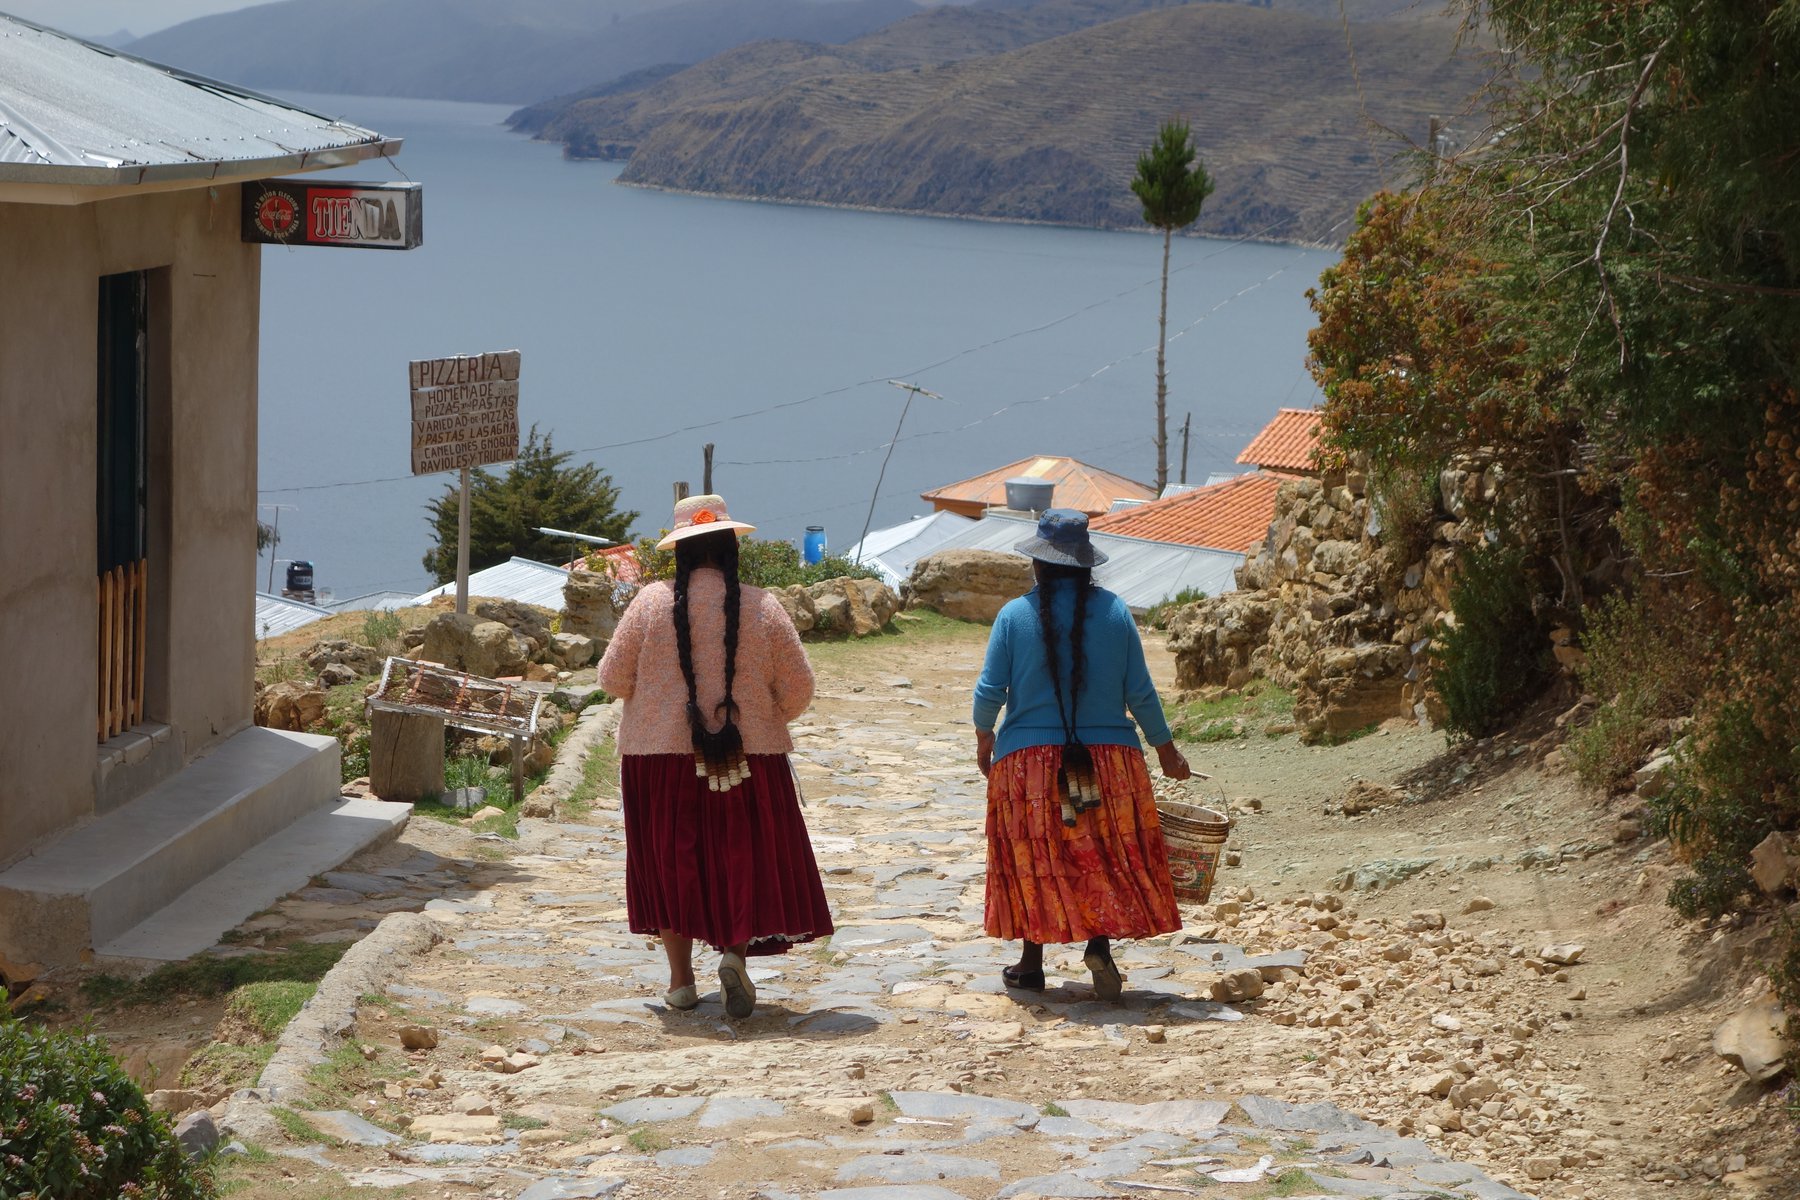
[[642, 667]]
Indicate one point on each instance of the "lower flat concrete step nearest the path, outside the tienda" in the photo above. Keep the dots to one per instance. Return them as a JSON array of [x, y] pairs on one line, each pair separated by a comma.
[[251, 882]]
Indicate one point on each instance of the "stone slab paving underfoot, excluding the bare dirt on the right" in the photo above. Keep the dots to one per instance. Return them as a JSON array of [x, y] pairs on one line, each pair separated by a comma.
[[890, 1064]]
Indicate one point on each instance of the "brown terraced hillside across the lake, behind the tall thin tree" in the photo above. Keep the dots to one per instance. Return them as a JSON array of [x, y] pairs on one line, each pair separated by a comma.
[[1000, 116]]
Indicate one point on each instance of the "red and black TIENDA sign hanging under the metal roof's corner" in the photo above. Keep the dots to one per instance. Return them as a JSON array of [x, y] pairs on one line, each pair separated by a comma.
[[364, 217]]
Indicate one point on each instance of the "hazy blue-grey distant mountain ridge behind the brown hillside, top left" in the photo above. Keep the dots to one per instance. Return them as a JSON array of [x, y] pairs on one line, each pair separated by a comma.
[[499, 51]]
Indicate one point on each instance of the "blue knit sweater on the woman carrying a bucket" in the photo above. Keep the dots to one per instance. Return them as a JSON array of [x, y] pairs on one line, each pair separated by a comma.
[[1115, 679]]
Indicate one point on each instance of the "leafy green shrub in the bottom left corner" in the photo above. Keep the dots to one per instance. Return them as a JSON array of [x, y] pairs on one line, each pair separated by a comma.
[[75, 1125]]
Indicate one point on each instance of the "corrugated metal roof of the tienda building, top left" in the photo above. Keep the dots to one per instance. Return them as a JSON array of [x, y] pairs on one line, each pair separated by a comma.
[[75, 112]]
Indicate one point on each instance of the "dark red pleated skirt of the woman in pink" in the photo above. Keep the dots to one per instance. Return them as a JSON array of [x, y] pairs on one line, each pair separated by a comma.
[[723, 868]]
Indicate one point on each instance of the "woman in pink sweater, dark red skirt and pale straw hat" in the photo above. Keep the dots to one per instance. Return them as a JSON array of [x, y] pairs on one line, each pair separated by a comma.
[[715, 845]]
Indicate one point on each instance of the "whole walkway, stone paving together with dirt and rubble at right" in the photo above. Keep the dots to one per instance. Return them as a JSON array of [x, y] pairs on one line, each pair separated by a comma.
[[1410, 1039]]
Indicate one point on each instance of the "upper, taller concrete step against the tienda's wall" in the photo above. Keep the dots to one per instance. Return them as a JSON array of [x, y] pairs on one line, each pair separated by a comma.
[[103, 879]]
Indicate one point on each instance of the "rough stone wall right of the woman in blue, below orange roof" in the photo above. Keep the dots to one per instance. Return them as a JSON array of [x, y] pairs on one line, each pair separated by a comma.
[[1327, 607]]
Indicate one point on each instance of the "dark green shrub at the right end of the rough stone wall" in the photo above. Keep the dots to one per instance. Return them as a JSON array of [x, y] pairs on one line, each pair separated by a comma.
[[1497, 654]]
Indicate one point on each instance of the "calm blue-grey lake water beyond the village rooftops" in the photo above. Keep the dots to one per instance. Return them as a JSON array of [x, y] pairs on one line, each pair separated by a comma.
[[656, 323]]
